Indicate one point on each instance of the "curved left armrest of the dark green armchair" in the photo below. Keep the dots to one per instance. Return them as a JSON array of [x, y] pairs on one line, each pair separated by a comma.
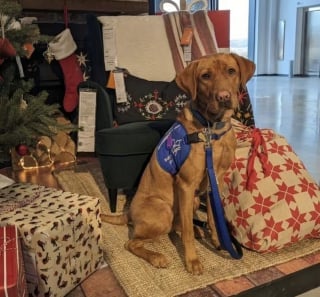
[[104, 113]]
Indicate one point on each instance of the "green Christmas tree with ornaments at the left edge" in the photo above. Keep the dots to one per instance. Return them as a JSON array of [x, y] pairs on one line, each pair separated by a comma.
[[24, 117]]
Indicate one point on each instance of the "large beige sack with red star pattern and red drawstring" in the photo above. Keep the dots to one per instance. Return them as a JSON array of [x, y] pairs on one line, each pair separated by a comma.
[[270, 199]]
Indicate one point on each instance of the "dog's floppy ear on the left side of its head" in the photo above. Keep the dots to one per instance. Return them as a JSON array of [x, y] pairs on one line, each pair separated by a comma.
[[187, 79]]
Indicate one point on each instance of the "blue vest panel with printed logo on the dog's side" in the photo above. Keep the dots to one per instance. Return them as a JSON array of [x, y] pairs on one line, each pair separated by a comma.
[[173, 149]]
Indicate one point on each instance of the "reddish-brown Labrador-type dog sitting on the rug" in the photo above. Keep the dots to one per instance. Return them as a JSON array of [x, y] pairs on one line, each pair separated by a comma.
[[165, 201]]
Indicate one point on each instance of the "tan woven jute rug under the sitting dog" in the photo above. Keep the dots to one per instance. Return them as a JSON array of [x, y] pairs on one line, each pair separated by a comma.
[[138, 278]]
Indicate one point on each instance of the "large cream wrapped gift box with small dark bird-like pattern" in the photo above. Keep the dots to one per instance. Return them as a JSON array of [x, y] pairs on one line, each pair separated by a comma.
[[61, 235]]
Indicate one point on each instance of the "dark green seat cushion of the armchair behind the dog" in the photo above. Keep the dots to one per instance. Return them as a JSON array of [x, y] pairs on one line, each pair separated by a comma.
[[132, 138]]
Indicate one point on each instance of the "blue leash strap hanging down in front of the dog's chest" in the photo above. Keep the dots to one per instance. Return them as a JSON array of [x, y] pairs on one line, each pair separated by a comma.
[[227, 241]]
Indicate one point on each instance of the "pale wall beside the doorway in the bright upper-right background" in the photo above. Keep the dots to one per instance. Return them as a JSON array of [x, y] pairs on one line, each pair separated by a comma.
[[268, 15]]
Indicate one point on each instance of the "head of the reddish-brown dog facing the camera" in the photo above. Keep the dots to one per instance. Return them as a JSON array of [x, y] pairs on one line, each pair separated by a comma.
[[214, 81]]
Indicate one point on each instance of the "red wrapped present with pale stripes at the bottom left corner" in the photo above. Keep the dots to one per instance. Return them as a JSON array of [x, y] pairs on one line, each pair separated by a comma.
[[12, 276]]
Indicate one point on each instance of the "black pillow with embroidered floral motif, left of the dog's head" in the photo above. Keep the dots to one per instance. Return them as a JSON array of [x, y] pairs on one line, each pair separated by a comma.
[[149, 100]]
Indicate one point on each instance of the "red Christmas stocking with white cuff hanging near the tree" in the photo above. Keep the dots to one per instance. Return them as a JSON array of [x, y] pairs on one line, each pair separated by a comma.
[[63, 47]]
